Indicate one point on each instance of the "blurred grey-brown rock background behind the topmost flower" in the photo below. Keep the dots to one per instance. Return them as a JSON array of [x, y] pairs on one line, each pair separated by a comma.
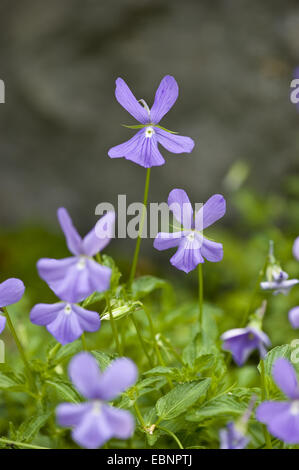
[[233, 61]]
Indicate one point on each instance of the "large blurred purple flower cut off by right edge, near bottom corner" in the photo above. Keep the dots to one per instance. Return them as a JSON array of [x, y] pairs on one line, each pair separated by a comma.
[[282, 417]]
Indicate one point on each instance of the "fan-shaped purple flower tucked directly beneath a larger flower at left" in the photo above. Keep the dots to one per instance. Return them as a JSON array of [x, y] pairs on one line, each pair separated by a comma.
[[65, 321]]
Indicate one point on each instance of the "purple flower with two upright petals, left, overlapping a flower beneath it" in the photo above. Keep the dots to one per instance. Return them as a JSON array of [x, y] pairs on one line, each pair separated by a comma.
[[74, 279]]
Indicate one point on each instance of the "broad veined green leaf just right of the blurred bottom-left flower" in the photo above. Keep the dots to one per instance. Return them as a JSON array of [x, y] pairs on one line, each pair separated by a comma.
[[180, 398]]
